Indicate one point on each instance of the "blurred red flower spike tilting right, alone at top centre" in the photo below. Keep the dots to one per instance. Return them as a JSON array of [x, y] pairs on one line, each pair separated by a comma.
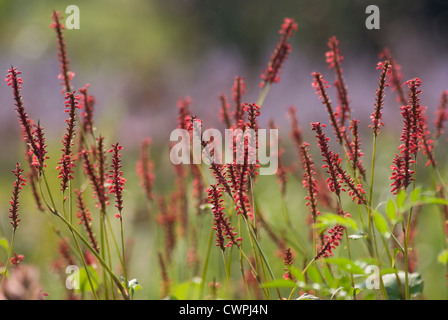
[[280, 54]]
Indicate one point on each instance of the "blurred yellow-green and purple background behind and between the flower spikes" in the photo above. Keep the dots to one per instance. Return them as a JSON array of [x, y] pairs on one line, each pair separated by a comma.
[[140, 57]]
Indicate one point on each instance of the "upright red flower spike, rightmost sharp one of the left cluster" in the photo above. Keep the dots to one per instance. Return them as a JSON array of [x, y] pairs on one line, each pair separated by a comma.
[[116, 179]]
